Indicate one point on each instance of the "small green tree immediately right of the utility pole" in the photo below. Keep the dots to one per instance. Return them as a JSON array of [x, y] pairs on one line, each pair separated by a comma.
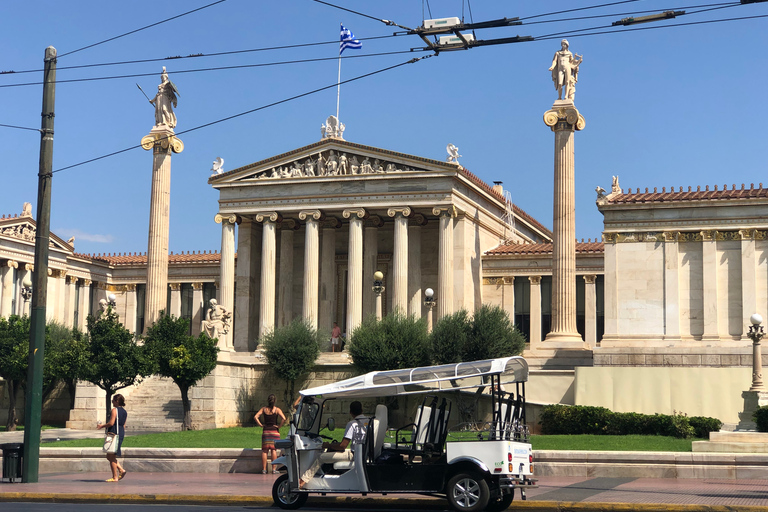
[[66, 351]]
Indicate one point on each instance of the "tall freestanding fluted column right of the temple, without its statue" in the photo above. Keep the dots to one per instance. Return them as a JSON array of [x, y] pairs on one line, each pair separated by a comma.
[[563, 119]]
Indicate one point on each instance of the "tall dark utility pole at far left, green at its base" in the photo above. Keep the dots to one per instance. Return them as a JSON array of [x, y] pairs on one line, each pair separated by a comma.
[[34, 401]]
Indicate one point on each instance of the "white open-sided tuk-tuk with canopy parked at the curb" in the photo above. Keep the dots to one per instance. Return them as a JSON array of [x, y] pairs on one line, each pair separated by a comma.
[[478, 471]]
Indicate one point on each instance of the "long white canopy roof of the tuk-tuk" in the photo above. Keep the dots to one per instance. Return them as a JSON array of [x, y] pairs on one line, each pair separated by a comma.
[[427, 379]]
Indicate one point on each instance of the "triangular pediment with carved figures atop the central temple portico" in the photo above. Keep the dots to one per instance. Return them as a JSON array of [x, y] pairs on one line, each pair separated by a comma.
[[332, 157]]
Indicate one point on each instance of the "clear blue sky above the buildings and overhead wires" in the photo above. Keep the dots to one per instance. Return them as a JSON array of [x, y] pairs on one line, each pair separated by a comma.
[[664, 107]]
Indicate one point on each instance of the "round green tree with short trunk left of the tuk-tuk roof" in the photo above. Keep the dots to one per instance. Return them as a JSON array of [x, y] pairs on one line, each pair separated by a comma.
[[291, 352]]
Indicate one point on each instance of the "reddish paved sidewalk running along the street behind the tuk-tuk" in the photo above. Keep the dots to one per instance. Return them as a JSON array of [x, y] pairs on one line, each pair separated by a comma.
[[554, 493]]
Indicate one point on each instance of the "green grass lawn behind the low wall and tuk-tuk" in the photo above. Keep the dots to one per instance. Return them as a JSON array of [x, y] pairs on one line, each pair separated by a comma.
[[250, 437]]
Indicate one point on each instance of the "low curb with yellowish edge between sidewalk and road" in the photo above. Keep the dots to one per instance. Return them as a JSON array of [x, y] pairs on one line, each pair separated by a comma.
[[355, 502]]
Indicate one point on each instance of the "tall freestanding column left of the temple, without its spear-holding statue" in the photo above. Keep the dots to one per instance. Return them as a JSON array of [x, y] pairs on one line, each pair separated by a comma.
[[162, 141]]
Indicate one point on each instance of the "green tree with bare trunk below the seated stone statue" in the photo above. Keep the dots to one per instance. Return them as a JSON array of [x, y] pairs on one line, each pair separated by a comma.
[[175, 354]]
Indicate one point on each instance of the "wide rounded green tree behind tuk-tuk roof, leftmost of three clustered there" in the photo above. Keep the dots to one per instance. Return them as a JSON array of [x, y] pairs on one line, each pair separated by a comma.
[[397, 341]]
